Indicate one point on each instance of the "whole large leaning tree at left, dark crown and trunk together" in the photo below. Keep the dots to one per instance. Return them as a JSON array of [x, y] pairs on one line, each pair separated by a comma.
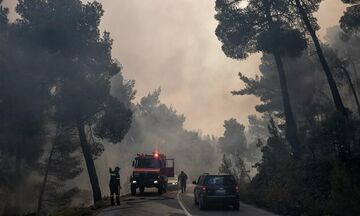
[[68, 31]]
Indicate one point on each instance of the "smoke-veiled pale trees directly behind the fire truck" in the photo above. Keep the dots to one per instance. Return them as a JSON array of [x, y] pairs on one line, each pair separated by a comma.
[[157, 127]]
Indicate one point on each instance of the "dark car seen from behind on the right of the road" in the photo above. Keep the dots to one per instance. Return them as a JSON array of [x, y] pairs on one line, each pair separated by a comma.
[[216, 189]]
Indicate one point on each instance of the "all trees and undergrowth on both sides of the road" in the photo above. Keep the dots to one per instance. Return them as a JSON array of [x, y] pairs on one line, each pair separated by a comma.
[[67, 111]]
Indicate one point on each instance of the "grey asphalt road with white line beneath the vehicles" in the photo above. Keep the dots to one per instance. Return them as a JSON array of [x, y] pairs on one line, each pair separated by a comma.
[[173, 204]]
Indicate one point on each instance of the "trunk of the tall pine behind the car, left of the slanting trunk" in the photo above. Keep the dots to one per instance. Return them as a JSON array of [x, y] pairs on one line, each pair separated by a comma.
[[291, 125]]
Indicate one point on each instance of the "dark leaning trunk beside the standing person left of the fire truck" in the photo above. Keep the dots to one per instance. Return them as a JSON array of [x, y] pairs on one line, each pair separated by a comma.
[[89, 163]]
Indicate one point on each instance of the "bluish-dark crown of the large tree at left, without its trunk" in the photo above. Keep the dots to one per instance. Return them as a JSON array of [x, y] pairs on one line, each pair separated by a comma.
[[71, 29]]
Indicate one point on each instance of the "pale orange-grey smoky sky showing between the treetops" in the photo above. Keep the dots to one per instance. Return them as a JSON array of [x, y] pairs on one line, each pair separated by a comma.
[[171, 44]]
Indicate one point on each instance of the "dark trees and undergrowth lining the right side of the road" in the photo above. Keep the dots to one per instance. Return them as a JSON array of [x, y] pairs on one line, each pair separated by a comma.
[[319, 174]]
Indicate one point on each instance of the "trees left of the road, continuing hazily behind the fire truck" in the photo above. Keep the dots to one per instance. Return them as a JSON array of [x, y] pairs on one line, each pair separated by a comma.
[[66, 112]]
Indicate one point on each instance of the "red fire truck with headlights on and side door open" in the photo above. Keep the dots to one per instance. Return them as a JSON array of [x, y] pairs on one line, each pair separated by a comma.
[[151, 170]]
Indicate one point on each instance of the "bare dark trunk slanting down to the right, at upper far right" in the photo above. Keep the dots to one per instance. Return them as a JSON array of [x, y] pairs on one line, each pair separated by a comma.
[[333, 87]]
